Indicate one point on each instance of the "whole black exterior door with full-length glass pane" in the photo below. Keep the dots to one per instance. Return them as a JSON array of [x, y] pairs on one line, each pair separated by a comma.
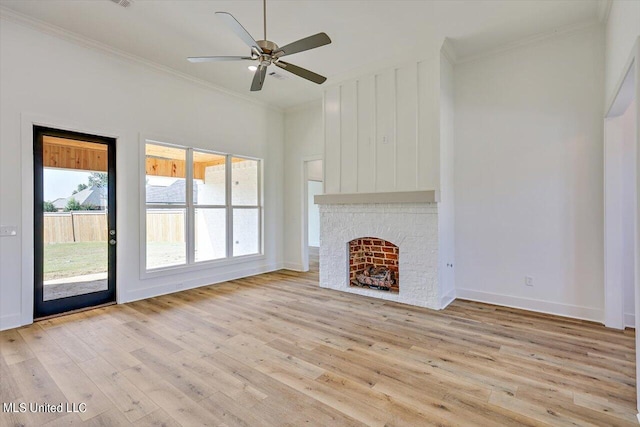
[[74, 220]]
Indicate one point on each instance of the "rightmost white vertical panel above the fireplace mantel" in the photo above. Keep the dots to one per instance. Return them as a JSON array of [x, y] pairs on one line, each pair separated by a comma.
[[428, 126]]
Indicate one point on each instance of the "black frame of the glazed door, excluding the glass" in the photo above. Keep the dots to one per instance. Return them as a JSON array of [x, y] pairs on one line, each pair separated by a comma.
[[43, 308]]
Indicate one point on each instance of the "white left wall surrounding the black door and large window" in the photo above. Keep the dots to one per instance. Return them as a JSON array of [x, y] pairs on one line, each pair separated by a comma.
[[67, 85]]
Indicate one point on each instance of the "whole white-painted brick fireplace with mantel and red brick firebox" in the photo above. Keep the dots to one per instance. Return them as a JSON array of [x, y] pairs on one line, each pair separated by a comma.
[[382, 239]]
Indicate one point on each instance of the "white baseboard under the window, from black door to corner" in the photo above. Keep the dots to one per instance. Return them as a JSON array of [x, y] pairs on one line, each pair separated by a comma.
[[166, 289]]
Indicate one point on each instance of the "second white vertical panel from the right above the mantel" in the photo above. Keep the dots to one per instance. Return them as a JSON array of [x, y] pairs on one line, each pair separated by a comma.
[[406, 116]]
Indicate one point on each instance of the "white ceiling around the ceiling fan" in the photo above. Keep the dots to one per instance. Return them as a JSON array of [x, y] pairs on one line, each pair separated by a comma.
[[365, 34]]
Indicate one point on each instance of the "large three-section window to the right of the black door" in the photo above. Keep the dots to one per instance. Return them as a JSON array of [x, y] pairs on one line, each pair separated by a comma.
[[200, 206]]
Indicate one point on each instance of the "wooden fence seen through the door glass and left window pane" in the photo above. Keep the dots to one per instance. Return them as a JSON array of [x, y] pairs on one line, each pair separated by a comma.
[[91, 226]]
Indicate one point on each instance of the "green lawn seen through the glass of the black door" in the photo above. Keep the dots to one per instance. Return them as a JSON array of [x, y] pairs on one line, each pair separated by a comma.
[[63, 260]]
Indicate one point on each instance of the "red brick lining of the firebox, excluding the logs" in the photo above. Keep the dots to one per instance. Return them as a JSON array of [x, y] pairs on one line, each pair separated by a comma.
[[371, 251]]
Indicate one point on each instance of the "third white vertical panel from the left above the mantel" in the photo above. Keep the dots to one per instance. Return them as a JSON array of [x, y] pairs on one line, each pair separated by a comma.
[[366, 135]]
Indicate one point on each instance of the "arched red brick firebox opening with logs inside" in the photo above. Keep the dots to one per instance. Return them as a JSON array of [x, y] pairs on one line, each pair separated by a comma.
[[373, 264]]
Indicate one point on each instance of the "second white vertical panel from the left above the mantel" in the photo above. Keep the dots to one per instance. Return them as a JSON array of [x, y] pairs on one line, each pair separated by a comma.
[[349, 137]]
